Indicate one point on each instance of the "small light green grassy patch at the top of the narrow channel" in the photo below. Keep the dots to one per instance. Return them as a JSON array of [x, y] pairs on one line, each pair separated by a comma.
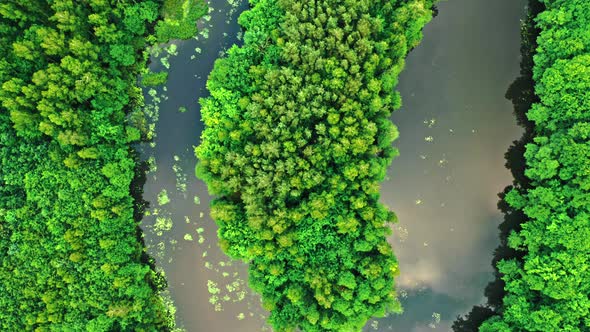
[[179, 19]]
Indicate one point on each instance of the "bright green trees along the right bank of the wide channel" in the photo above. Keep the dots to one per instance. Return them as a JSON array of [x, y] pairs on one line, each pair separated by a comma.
[[549, 289]]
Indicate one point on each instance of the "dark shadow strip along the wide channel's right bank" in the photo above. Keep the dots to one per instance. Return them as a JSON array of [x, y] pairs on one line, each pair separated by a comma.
[[522, 94]]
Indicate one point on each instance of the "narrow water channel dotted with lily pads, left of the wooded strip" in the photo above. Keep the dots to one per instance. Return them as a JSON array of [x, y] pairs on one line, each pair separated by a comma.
[[209, 292]]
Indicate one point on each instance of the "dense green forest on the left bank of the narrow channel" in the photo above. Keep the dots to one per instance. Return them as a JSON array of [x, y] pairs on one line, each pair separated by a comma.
[[70, 258]]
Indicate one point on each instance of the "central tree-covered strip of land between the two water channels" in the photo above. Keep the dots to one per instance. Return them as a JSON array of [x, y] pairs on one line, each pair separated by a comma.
[[298, 138]]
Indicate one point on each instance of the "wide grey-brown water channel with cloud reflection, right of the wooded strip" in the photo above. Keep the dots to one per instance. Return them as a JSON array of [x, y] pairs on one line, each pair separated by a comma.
[[455, 127]]
